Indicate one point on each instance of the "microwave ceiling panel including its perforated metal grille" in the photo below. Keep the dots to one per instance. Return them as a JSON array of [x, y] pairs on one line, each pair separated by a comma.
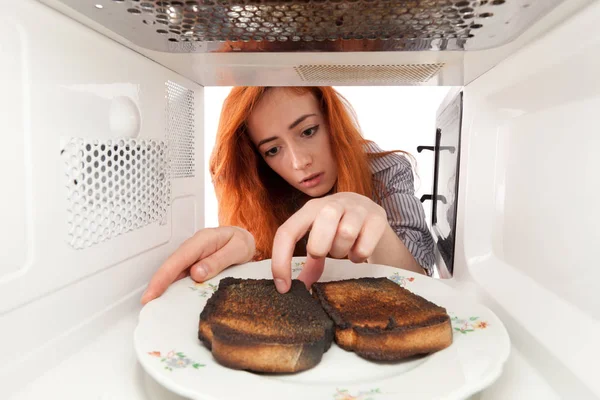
[[221, 26]]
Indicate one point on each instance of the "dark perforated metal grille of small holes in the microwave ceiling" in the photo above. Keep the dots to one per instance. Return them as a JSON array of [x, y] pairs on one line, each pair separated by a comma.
[[317, 20]]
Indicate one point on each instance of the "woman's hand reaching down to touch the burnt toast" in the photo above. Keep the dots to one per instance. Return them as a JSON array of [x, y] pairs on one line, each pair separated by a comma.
[[343, 224]]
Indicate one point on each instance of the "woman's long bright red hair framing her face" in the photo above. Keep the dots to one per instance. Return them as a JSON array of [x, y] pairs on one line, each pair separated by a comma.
[[253, 196]]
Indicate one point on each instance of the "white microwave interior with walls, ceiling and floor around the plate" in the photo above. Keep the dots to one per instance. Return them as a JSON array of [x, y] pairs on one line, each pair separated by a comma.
[[111, 96]]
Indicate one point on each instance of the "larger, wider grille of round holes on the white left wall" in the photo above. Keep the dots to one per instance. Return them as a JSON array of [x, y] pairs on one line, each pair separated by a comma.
[[113, 187]]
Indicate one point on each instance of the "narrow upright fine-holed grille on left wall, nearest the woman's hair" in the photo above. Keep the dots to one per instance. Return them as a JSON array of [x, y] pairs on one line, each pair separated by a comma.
[[180, 129]]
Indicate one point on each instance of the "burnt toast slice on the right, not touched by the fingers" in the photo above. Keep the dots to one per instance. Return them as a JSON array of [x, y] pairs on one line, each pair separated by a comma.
[[379, 320]]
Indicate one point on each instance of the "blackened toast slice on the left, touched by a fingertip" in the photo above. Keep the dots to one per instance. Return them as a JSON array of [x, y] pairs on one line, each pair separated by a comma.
[[248, 325]]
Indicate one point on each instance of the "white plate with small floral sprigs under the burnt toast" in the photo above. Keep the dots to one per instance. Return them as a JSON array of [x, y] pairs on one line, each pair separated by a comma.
[[167, 346]]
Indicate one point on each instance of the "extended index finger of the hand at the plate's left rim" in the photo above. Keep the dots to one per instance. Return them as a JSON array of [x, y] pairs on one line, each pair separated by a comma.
[[198, 246]]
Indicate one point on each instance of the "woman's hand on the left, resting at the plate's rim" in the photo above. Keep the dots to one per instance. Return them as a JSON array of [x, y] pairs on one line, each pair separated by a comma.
[[202, 256]]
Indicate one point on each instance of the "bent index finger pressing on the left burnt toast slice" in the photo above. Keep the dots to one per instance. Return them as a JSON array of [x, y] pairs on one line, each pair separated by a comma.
[[288, 234]]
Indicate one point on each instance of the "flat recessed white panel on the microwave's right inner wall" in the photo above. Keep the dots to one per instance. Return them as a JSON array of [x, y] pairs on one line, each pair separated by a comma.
[[551, 222]]
